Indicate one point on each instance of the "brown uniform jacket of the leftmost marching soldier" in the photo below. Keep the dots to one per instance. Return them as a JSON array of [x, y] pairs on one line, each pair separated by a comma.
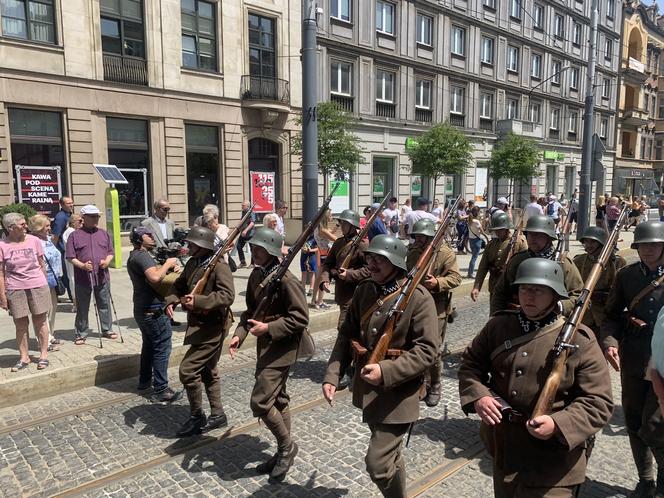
[[212, 317]]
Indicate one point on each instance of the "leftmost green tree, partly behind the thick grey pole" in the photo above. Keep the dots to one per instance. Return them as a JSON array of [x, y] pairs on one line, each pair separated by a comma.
[[339, 149]]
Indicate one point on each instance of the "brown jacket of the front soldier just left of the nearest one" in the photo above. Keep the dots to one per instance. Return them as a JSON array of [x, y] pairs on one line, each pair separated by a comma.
[[397, 400]]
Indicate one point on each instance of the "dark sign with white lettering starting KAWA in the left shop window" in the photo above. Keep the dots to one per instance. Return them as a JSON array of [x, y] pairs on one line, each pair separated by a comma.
[[40, 187]]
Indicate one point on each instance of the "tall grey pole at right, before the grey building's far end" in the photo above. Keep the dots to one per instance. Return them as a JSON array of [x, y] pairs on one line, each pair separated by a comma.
[[585, 184]]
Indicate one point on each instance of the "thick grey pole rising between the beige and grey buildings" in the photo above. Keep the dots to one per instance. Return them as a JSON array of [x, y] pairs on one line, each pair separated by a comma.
[[309, 117]]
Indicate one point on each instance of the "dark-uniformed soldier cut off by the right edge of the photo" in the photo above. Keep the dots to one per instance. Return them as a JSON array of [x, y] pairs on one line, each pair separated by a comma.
[[626, 338]]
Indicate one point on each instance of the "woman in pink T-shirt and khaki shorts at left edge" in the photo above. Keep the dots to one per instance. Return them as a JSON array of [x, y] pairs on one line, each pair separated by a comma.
[[24, 290]]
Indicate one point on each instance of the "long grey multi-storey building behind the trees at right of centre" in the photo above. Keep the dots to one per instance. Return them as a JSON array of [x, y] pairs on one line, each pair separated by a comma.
[[486, 66]]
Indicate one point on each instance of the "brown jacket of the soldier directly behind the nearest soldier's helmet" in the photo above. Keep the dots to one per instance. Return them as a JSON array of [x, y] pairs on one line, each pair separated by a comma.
[[502, 295]]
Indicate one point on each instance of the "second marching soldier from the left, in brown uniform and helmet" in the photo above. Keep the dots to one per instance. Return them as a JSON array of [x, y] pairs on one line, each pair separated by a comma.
[[277, 340]]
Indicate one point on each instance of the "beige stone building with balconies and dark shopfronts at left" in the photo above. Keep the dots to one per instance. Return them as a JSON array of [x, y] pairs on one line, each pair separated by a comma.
[[189, 98]]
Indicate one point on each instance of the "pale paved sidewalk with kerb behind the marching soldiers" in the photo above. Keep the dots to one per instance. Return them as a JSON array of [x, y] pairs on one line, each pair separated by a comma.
[[74, 367]]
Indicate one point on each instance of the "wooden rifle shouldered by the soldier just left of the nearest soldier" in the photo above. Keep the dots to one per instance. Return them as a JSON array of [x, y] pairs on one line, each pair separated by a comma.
[[407, 290]]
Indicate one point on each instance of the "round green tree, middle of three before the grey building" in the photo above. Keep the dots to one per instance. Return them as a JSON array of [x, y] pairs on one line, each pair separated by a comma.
[[443, 150]]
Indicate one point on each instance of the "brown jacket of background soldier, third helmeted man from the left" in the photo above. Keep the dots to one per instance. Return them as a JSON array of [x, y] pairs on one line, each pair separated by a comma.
[[356, 272]]
